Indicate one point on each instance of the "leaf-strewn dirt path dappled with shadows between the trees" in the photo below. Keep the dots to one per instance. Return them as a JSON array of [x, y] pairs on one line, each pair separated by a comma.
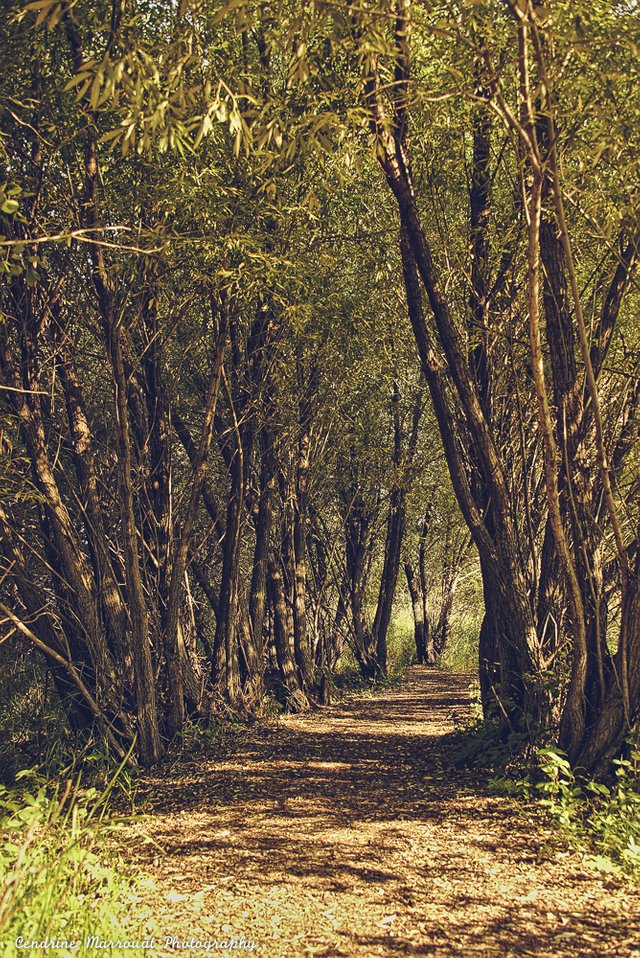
[[345, 832]]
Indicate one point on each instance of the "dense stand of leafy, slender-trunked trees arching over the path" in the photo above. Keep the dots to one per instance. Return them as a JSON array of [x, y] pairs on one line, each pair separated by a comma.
[[314, 313]]
